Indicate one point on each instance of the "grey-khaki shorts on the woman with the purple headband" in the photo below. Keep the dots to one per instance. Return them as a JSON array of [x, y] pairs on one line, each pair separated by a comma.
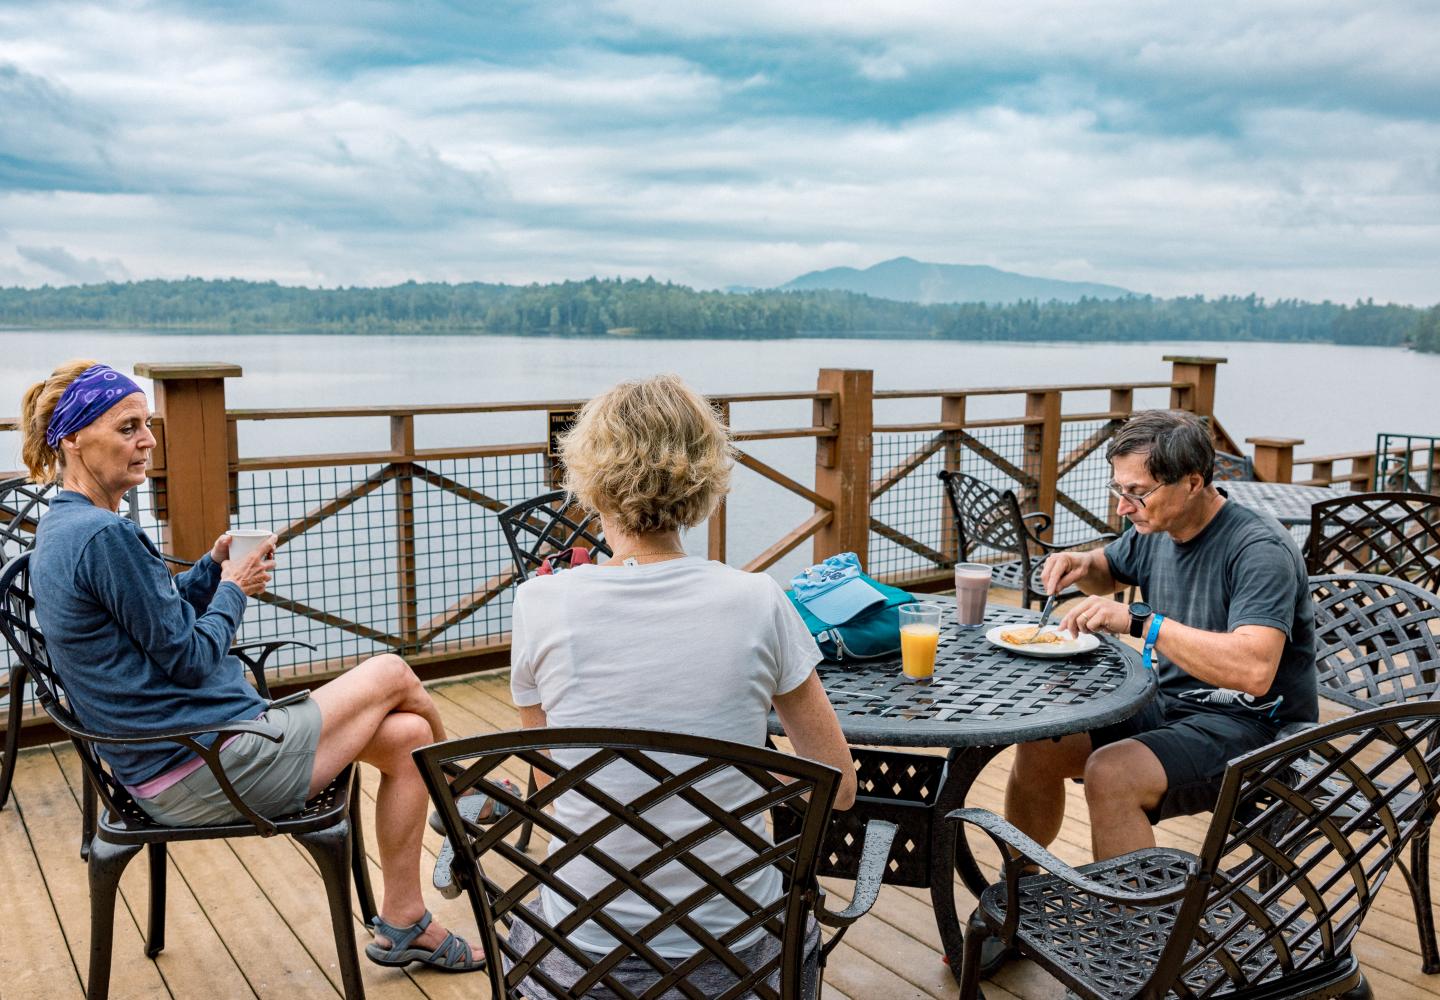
[[273, 779]]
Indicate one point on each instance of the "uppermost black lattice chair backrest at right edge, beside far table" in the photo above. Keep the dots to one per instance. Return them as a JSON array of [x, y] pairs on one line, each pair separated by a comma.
[[1387, 534]]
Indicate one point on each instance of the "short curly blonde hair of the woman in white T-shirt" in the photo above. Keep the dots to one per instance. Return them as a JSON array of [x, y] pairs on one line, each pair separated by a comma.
[[649, 455]]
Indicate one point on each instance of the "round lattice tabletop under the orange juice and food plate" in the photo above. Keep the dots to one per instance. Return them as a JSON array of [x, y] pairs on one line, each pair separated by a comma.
[[984, 695]]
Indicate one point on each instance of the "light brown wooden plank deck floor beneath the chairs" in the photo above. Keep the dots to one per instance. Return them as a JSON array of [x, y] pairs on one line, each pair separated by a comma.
[[248, 919]]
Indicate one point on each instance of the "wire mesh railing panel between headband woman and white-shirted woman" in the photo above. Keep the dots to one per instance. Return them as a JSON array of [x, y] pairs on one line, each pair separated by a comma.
[[343, 581]]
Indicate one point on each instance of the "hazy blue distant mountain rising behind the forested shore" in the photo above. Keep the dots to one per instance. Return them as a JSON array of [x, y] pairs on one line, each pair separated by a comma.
[[908, 280]]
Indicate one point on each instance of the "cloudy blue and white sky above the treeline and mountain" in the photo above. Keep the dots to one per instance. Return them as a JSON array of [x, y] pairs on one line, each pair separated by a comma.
[[1288, 148]]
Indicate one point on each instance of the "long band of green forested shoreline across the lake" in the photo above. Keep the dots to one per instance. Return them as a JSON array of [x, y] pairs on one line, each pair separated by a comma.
[[652, 309]]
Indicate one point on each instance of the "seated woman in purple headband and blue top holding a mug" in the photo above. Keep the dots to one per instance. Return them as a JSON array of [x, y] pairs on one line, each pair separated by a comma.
[[142, 651]]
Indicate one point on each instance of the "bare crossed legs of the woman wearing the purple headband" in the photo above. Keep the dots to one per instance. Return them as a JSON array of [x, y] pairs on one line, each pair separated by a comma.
[[379, 713]]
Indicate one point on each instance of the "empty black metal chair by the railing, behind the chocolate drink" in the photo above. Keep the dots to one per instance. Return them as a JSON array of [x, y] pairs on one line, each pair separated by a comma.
[[990, 519]]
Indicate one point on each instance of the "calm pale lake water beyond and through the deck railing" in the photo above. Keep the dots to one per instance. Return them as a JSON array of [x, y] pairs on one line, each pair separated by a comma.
[[1336, 398]]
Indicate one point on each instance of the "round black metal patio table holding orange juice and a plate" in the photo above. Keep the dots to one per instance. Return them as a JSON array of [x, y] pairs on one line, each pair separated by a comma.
[[981, 701]]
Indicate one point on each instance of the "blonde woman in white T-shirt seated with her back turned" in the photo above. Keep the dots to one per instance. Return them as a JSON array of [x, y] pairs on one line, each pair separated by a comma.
[[660, 640]]
